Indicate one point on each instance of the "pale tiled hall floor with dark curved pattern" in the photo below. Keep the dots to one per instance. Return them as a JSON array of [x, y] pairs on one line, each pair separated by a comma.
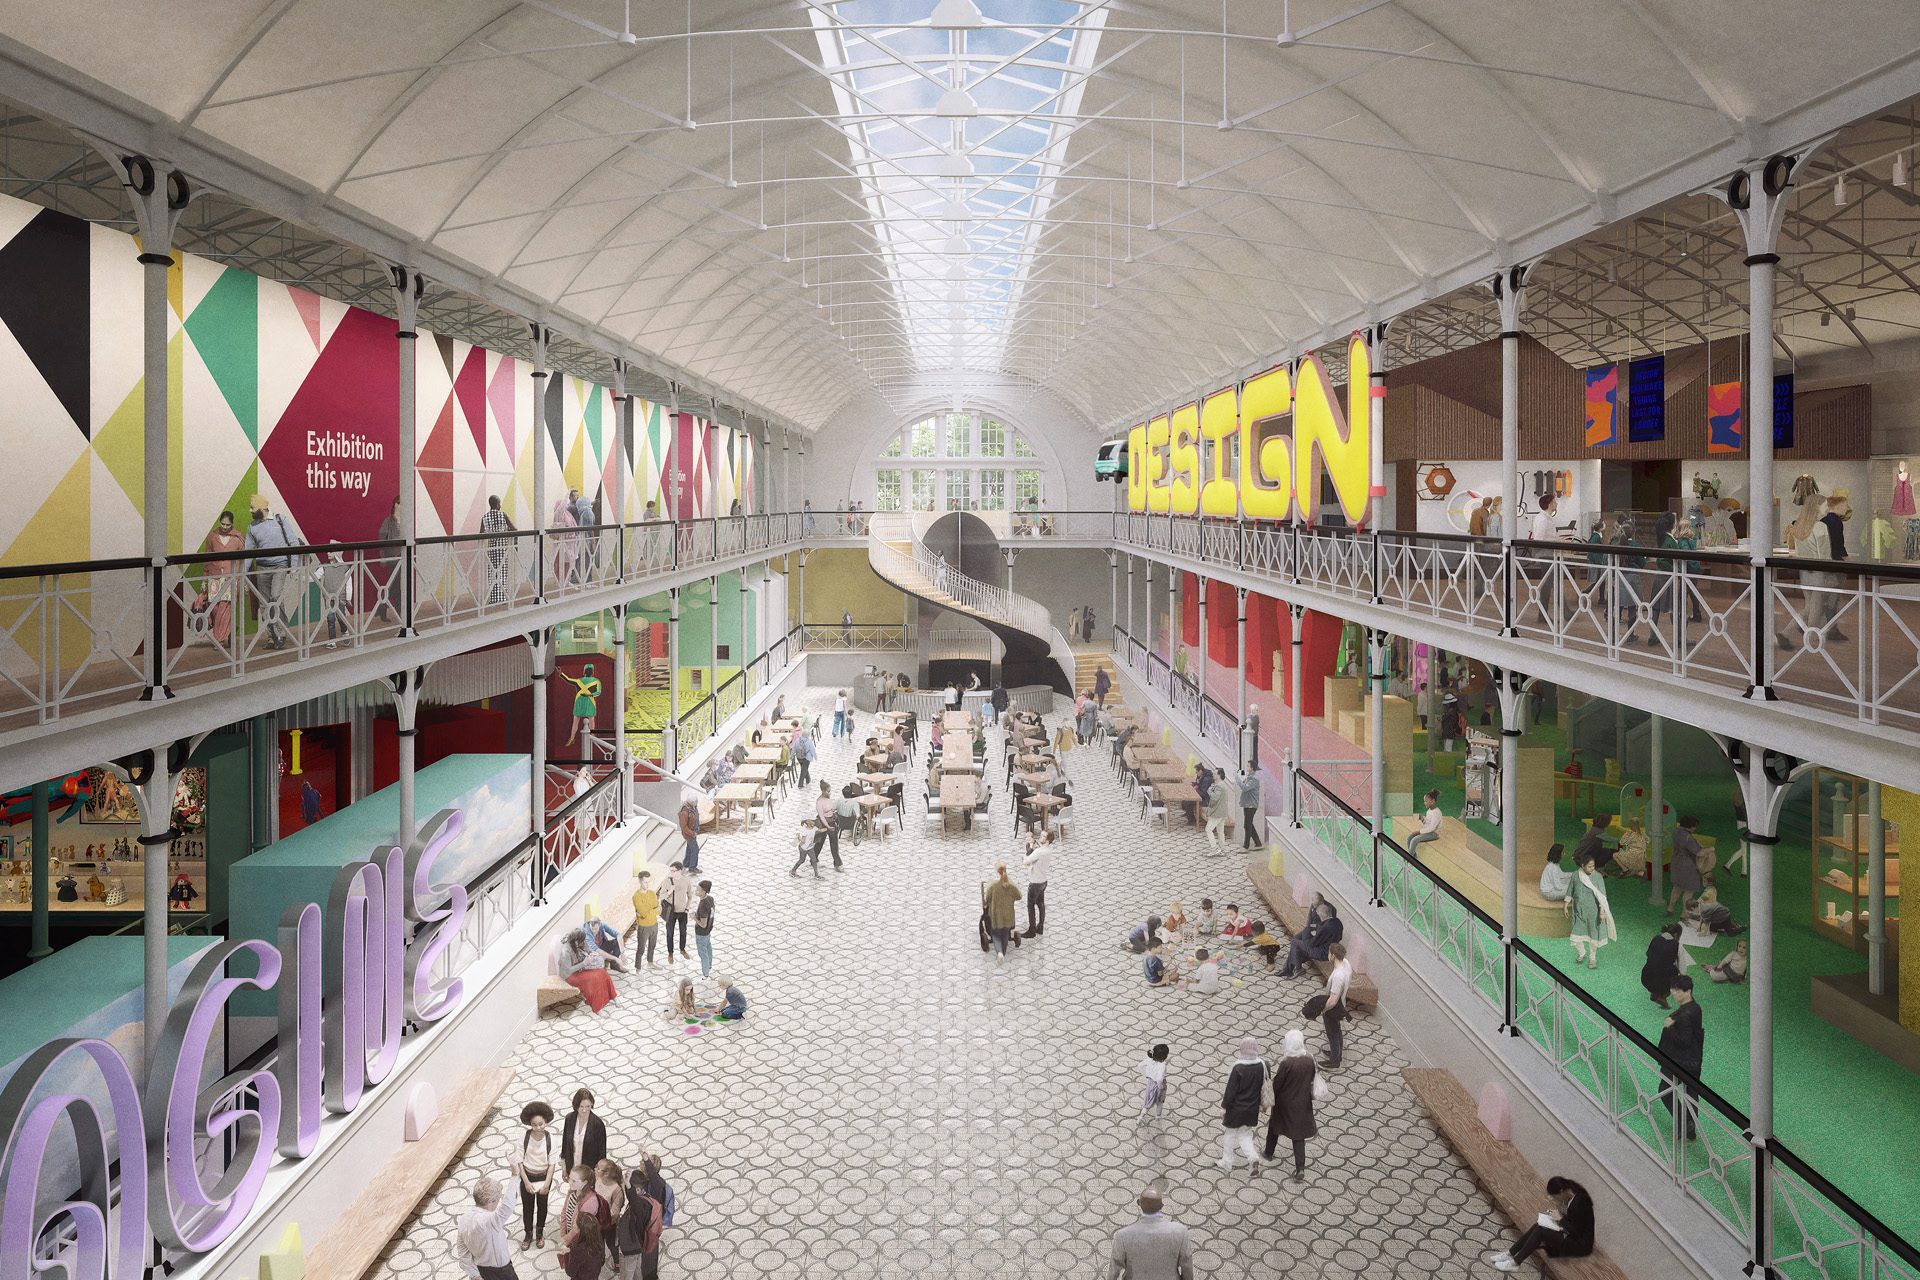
[[900, 1106]]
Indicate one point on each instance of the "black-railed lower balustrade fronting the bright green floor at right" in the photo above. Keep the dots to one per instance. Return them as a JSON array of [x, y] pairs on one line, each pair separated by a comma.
[[1815, 1229]]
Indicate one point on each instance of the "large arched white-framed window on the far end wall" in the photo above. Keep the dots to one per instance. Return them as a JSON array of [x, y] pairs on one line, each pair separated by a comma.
[[959, 462]]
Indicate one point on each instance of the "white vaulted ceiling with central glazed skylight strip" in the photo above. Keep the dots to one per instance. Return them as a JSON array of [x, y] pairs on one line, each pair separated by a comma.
[[1115, 201]]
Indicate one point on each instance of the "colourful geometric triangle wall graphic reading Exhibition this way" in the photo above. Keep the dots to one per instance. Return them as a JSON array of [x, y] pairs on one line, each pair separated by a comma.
[[285, 394]]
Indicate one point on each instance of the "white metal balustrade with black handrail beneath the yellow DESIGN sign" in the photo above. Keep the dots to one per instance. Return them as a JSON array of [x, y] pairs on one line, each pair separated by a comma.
[[1840, 638]]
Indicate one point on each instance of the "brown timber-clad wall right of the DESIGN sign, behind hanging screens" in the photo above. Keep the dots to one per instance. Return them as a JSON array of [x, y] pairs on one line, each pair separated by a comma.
[[1449, 410]]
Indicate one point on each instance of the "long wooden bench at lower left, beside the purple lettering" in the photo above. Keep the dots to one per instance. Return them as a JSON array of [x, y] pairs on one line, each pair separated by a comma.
[[358, 1237]]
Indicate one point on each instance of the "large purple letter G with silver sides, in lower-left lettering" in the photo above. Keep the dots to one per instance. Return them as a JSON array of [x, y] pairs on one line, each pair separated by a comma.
[[178, 1110]]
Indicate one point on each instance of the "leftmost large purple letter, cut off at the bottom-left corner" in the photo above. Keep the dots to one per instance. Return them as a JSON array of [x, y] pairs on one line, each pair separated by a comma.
[[30, 1127]]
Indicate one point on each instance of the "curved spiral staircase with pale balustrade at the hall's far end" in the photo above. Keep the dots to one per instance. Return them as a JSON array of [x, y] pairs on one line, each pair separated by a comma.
[[1026, 627]]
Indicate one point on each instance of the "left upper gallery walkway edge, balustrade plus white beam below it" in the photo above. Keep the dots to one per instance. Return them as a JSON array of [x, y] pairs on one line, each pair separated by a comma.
[[201, 640]]
